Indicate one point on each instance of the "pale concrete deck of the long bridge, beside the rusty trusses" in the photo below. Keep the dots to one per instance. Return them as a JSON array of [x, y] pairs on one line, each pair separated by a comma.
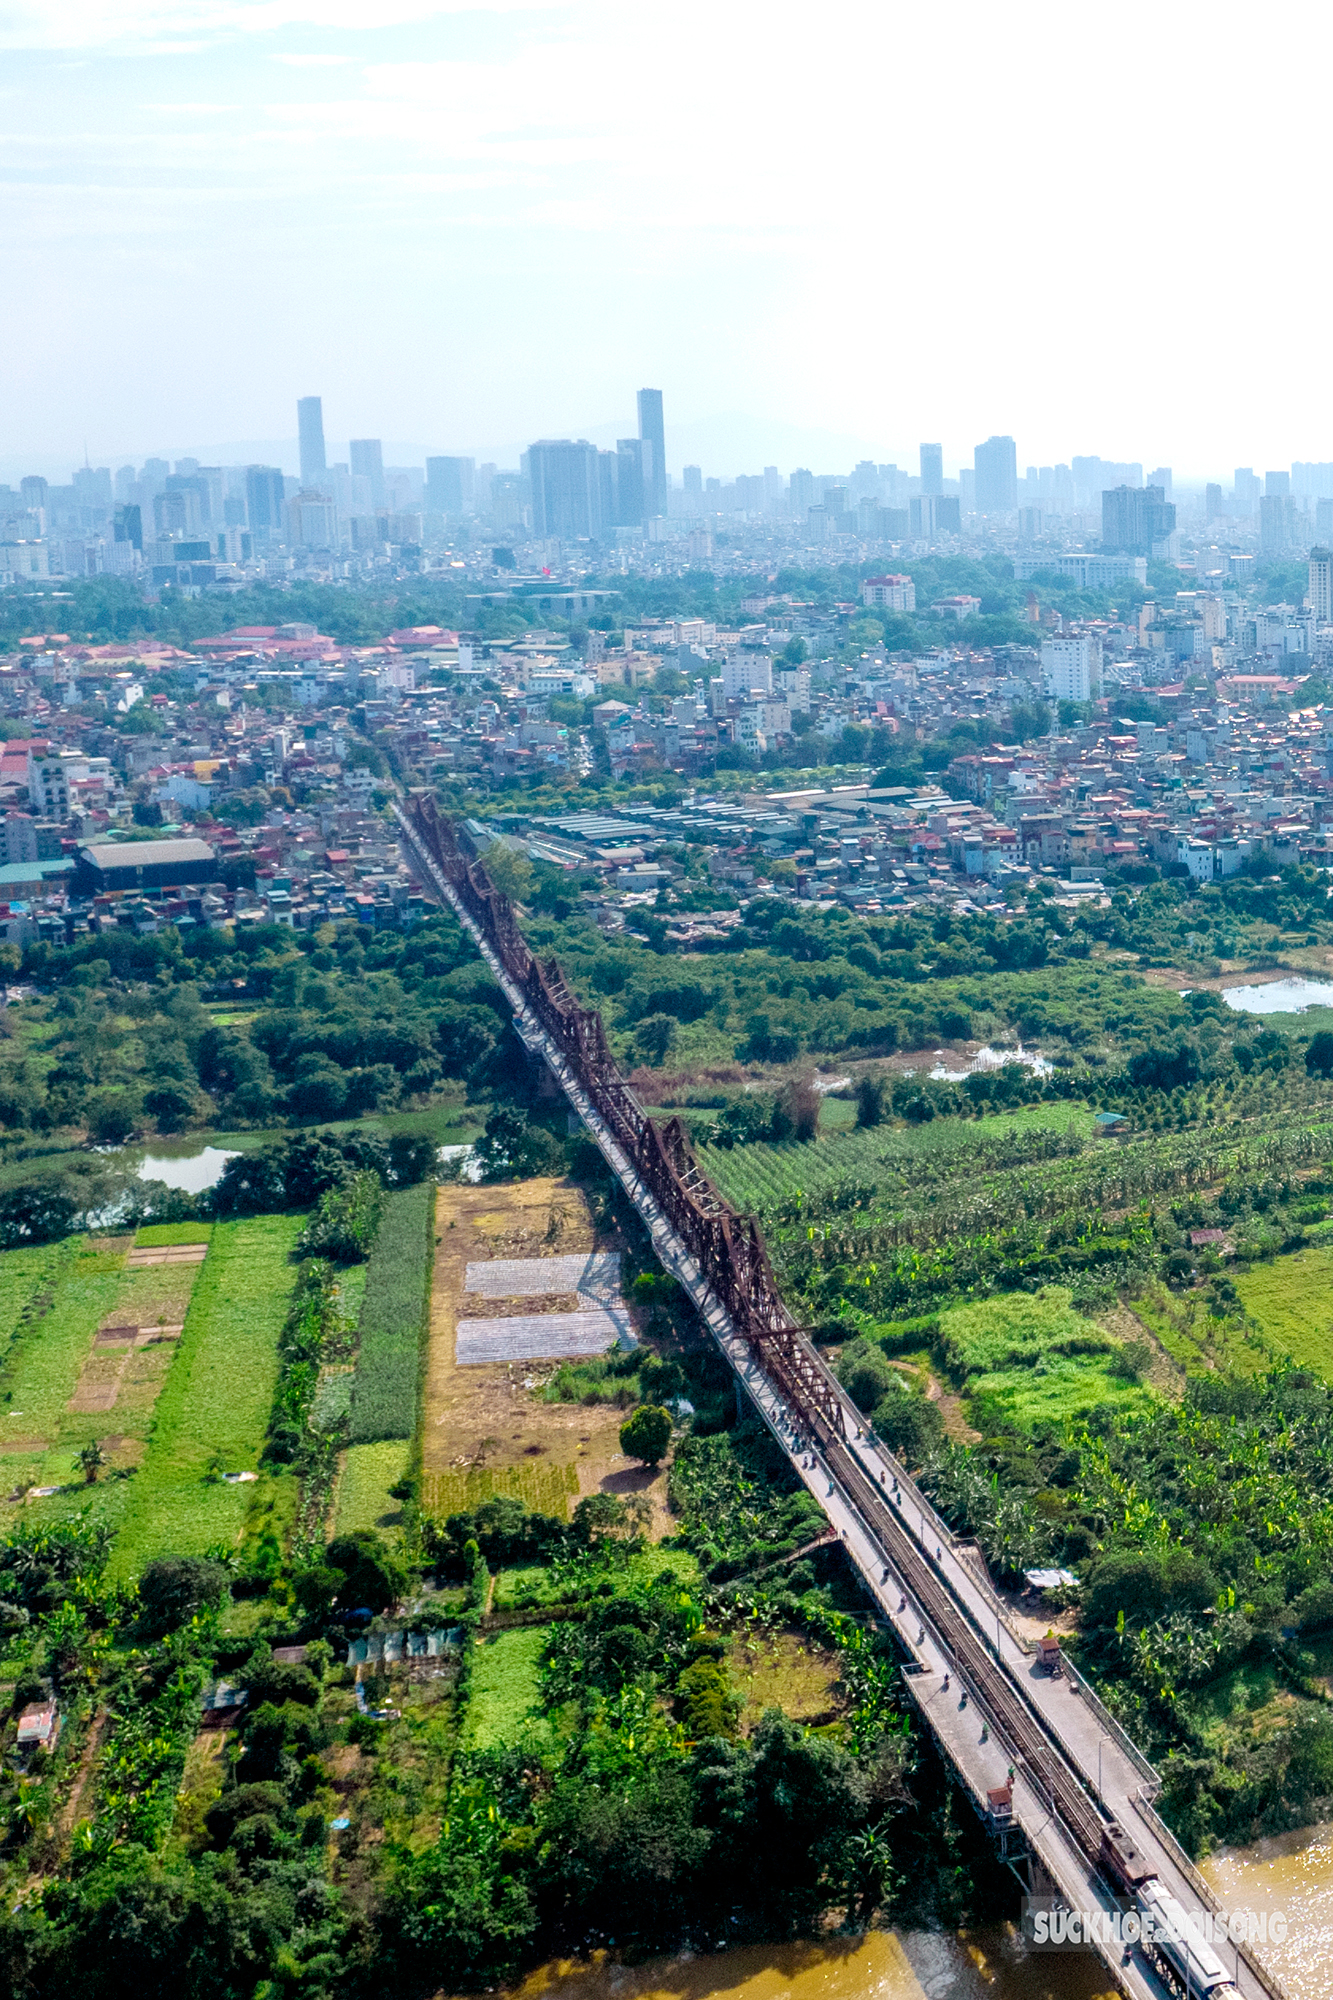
[[1074, 1765]]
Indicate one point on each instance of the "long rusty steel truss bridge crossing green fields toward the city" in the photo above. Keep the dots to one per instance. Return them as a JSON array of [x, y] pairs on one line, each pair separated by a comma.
[[1000, 1719]]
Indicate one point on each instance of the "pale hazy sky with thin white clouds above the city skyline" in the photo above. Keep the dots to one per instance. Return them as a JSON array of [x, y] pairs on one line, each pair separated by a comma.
[[824, 231]]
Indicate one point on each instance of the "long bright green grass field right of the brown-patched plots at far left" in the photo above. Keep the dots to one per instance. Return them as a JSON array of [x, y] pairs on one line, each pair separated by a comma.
[[217, 1399]]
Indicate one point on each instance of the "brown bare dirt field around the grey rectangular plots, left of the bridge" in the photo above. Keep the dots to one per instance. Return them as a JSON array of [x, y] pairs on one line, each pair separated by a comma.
[[485, 1431]]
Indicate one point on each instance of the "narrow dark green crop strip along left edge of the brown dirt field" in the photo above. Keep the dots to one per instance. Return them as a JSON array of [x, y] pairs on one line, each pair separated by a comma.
[[391, 1319]]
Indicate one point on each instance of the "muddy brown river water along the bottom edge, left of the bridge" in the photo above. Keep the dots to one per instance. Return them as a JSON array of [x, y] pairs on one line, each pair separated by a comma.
[[878, 1967]]
